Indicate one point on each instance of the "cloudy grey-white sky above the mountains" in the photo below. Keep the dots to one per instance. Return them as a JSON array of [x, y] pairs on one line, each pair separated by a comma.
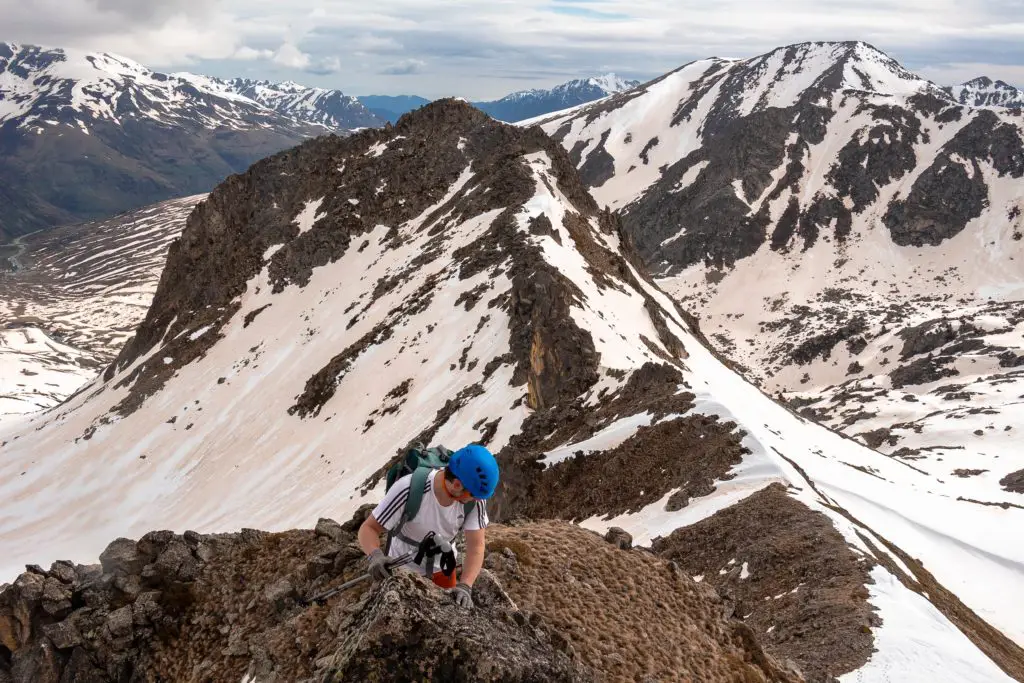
[[487, 49]]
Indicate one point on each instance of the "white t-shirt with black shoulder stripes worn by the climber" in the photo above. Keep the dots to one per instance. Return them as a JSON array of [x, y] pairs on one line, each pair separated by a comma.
[[446, 523]]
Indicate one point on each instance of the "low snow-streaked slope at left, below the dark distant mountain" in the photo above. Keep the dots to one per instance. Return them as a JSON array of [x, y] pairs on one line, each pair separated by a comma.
[[71, 297]]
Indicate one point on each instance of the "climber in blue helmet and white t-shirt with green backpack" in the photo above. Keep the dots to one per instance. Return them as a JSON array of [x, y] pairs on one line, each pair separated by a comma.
[[441, 500]]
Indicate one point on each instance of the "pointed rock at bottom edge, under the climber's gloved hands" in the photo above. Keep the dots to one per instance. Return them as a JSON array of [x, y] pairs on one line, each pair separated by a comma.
[[407, 630]]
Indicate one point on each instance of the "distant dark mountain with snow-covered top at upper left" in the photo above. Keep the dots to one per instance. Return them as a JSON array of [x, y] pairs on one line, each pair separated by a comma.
[[86, 136]]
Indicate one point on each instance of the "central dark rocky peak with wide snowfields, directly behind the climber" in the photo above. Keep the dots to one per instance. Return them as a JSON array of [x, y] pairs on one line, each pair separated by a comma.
[[450, 280]]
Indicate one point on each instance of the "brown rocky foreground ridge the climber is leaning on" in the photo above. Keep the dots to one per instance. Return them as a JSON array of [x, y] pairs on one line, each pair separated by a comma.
[[227, 608]]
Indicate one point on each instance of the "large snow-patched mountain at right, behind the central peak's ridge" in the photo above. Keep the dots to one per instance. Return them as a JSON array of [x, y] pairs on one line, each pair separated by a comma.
[[847, 233]]
